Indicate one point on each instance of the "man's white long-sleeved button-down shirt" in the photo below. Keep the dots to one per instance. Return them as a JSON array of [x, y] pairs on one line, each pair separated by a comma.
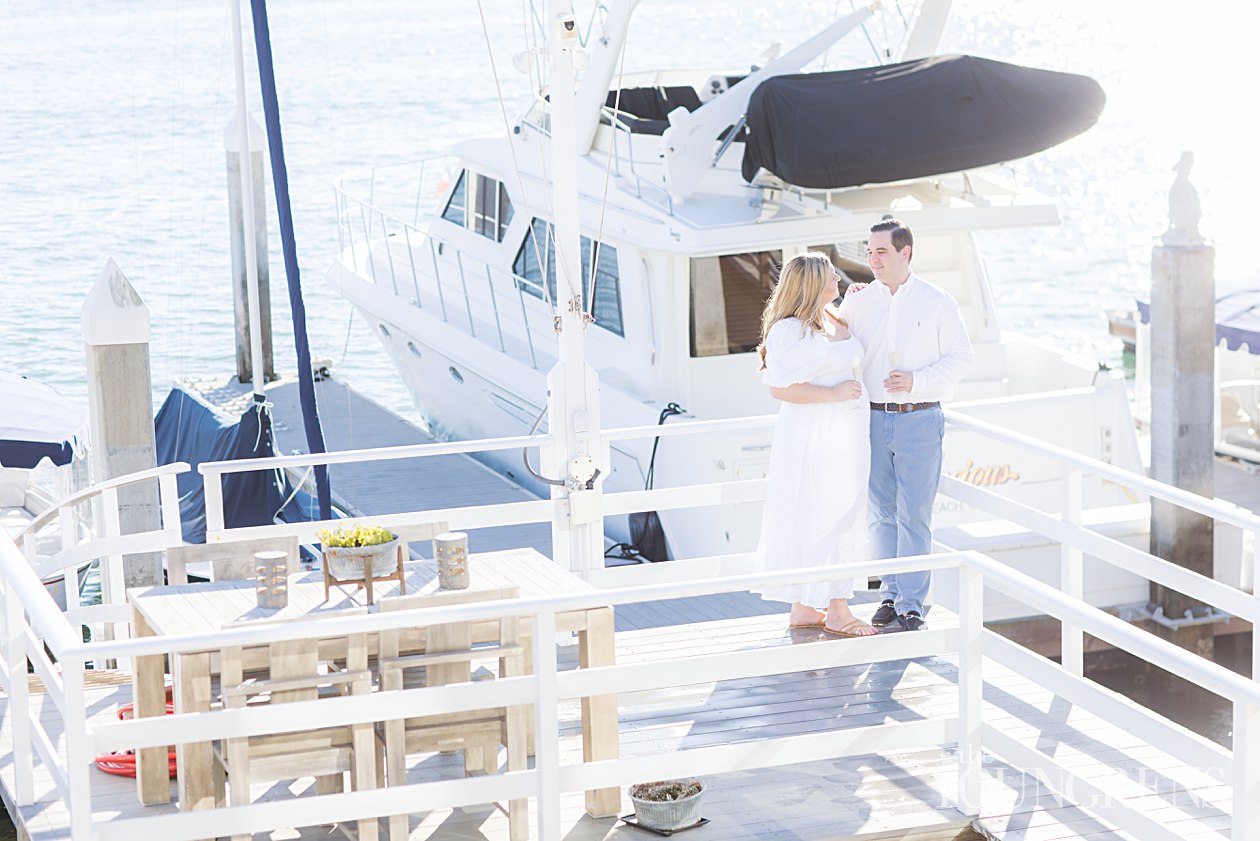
[[919, 330]]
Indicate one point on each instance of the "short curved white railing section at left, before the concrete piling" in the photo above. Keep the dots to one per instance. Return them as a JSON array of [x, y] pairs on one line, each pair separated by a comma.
[[110, 545]]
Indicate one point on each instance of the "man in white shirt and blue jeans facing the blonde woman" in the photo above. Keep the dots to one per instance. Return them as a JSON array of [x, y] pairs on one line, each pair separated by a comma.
[[917, 351]]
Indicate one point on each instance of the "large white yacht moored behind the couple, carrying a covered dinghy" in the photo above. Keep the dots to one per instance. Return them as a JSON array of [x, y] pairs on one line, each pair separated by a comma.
[[687, 221]]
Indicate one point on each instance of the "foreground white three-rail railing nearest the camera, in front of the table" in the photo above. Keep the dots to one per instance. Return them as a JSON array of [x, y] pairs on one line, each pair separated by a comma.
[[550, 779]]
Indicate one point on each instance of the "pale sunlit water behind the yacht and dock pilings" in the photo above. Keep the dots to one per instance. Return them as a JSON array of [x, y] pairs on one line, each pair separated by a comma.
[[113, 114]]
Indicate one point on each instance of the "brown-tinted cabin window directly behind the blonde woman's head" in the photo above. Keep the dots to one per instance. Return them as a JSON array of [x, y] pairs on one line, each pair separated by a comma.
[[729, 294]]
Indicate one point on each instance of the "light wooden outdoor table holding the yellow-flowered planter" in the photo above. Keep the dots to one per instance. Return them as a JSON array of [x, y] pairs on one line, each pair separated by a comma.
[[209, 607]]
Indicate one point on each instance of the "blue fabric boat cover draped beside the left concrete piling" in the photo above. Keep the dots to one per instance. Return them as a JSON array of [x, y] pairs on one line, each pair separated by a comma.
[[191, 431]]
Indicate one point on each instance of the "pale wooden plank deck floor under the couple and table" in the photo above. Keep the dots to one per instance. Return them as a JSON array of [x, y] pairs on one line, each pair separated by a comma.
[[903, 796]]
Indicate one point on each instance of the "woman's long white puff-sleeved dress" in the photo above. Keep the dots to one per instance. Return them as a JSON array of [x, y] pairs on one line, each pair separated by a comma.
[[816, 510]]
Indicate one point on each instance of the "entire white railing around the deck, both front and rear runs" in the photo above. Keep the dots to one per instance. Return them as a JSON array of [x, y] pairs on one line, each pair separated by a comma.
[[32, 622]]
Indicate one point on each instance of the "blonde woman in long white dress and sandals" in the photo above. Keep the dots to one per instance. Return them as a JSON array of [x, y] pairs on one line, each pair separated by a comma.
[[821, 457]]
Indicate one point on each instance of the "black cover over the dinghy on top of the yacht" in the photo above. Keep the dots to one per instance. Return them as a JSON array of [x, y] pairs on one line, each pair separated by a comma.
[[912, 120]]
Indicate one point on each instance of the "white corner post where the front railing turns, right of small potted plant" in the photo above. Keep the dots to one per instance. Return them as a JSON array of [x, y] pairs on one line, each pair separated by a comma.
[[971, 687]]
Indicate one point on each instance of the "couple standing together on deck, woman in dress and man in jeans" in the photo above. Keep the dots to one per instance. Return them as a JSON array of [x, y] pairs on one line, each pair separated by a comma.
[[836, 452]]
